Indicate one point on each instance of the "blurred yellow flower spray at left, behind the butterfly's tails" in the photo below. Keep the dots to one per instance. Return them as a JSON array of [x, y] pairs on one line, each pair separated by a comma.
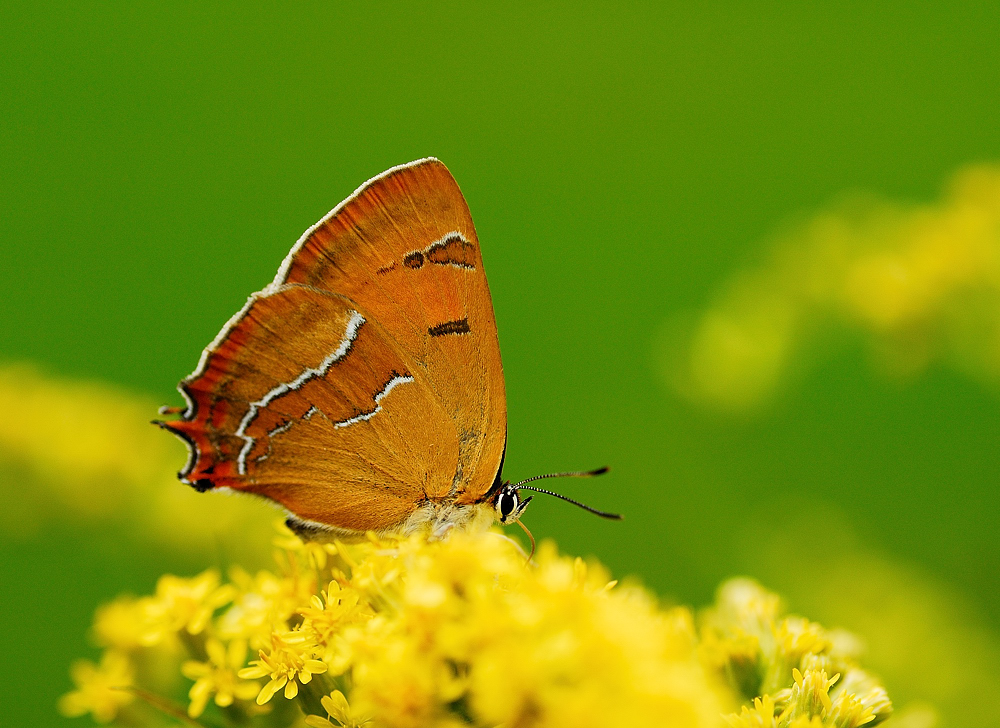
[[81, 451]]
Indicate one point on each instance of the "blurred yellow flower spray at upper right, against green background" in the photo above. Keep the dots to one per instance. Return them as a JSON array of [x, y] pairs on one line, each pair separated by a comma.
[[921, 283]]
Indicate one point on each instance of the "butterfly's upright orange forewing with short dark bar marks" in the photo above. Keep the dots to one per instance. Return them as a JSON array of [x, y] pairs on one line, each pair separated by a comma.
[[404, 247]]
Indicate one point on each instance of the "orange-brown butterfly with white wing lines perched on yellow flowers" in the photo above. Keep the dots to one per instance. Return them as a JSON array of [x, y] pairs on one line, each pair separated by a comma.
[[362, 390]]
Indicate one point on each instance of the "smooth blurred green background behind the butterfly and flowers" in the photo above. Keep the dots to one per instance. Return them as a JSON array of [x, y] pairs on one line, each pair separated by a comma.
[[622, 164]]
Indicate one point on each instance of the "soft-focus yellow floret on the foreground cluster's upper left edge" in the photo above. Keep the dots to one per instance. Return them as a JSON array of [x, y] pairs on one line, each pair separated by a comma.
[[184, 604]]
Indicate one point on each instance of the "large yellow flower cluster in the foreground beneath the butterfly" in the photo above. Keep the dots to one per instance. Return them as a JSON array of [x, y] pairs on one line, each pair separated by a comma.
[[409, 633]]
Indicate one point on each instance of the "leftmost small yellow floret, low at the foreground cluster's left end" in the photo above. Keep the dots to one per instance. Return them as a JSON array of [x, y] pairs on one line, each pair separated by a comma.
[[99, 687]]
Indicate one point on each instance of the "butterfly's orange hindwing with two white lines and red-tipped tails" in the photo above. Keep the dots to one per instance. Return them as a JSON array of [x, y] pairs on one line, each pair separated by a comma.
[[308, 419]]
